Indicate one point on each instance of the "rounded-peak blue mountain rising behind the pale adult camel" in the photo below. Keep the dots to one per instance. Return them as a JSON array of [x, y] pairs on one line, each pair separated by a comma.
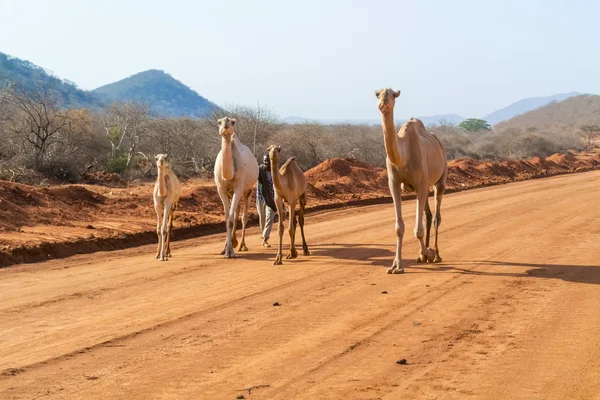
[[166, 95]]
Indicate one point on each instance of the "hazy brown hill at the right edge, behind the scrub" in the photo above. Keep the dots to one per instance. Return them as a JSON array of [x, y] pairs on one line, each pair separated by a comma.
[[572, 112]]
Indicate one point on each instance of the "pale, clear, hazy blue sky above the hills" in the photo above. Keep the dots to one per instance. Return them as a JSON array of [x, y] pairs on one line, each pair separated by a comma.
[[320, 59]]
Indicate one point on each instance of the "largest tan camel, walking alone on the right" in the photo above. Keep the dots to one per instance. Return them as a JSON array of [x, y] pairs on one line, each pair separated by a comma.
[[416, 159]]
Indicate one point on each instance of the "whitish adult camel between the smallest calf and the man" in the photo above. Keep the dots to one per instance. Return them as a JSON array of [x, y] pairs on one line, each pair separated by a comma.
[[236, 171]]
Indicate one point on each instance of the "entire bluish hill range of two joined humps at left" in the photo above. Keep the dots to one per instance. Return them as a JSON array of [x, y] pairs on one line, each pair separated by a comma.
[[164, 94]]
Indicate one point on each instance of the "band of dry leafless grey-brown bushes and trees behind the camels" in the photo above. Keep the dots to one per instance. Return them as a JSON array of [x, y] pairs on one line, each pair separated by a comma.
[[42, 140]]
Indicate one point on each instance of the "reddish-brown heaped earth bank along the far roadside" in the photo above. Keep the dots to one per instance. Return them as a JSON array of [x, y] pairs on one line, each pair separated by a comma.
[[57, 221]]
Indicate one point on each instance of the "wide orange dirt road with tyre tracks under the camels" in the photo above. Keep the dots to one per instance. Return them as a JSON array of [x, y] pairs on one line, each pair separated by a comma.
[[512, 312]]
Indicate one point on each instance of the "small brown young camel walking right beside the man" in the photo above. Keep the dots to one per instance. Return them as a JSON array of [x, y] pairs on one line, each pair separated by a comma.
[[289, 183]]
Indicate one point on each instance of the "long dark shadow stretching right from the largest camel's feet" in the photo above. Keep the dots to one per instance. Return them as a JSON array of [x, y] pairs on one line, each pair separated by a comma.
[[588, 274]]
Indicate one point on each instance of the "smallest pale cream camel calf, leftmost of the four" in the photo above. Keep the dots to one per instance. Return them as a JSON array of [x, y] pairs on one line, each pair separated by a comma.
[[167, 191]]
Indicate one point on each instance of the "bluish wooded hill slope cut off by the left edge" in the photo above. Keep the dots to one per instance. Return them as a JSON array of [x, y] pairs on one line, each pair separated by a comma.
[[31, 77]]
